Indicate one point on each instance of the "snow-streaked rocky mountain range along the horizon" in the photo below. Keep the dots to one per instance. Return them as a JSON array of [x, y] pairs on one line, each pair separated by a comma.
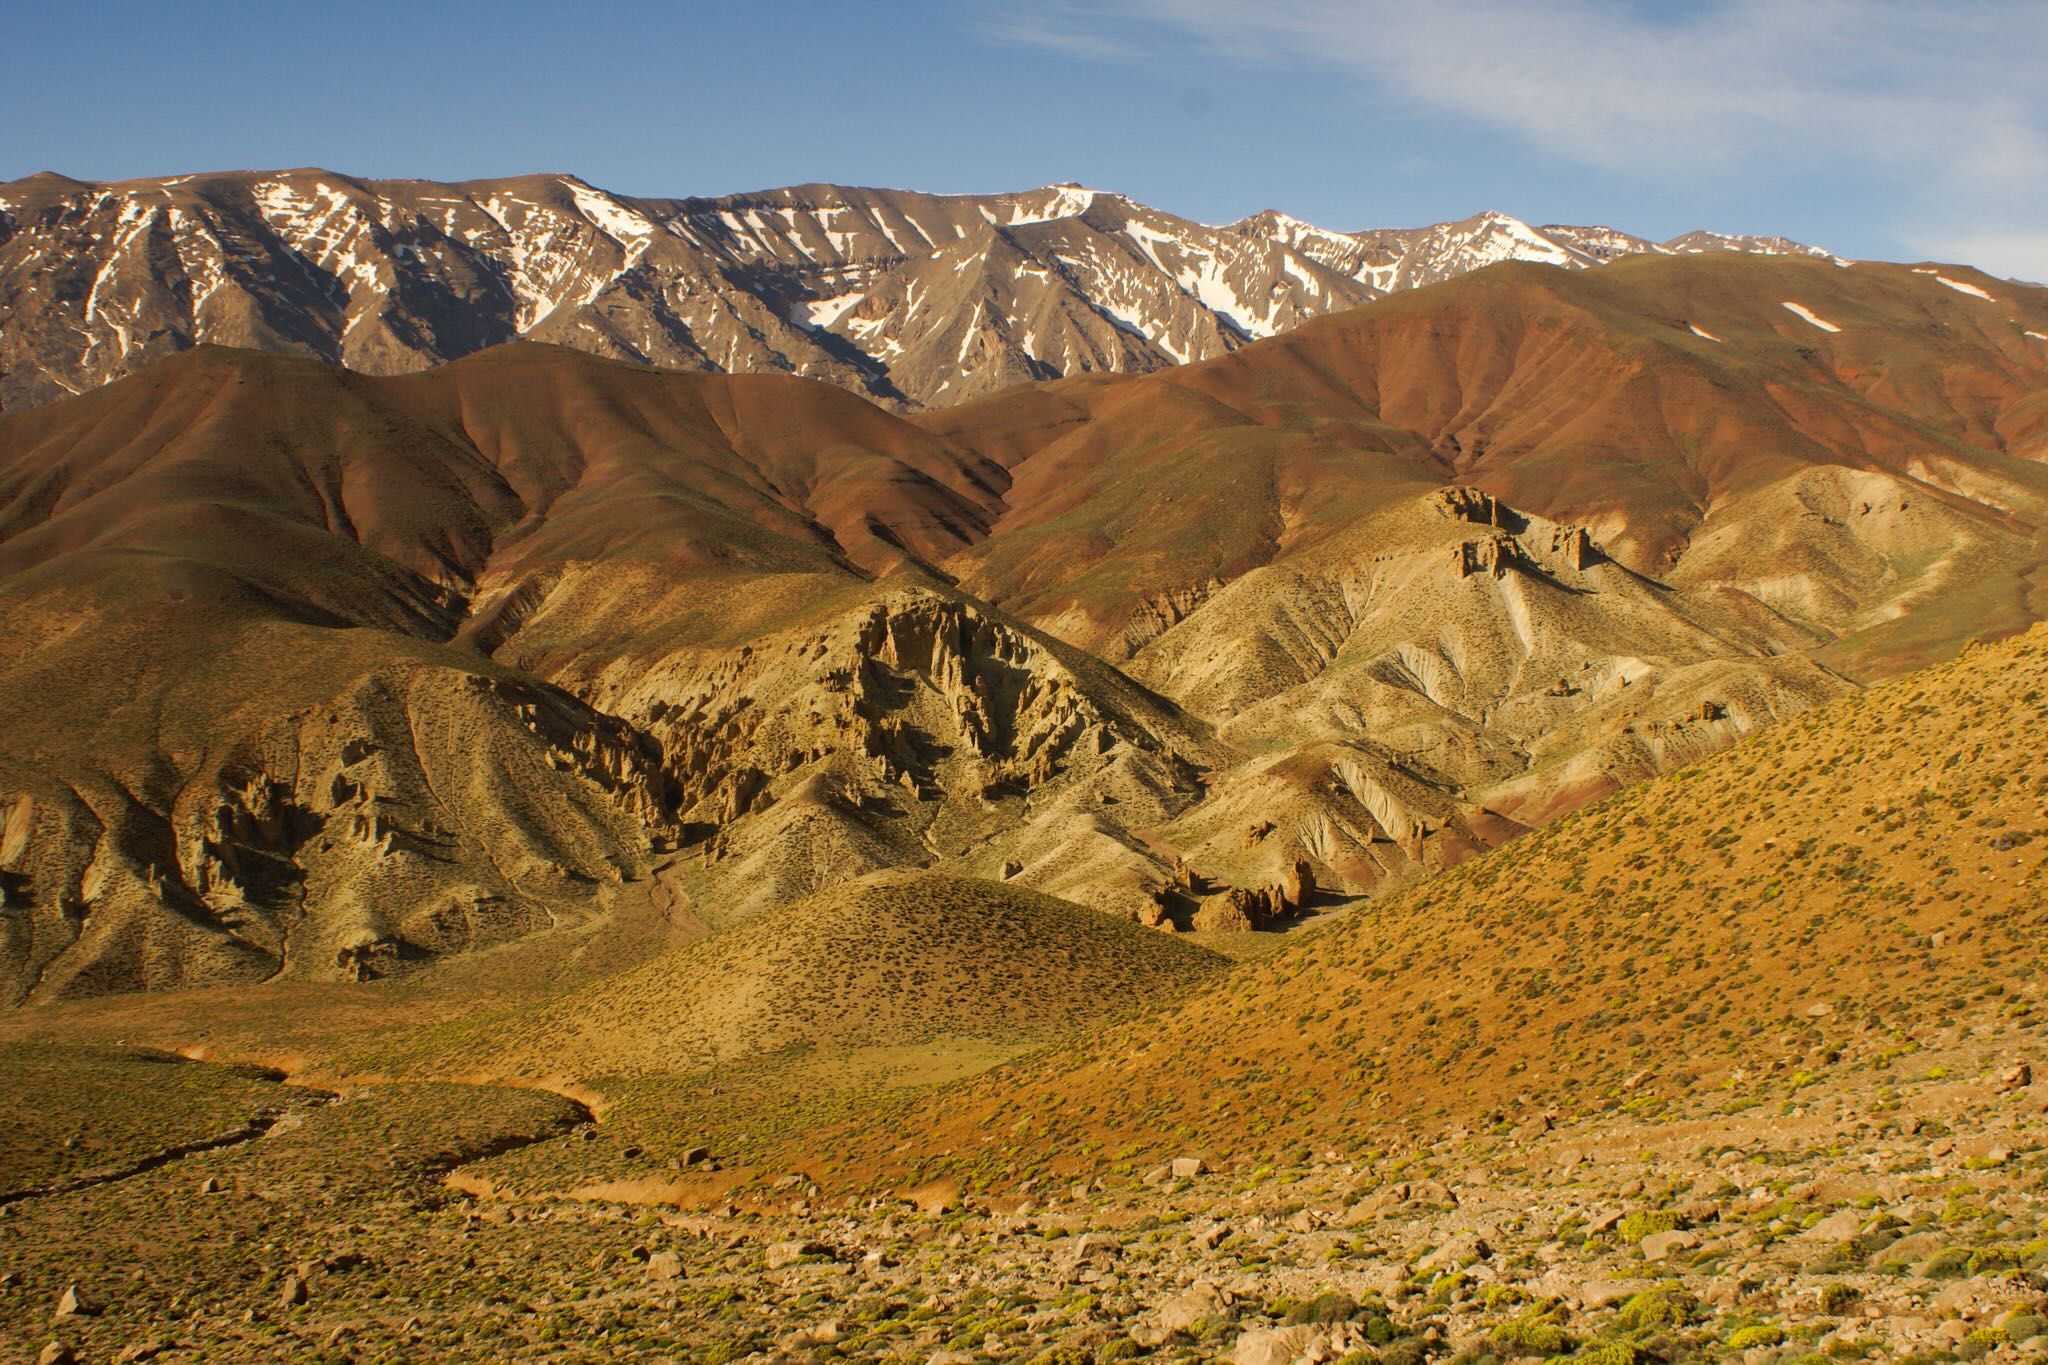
[[914, 300]]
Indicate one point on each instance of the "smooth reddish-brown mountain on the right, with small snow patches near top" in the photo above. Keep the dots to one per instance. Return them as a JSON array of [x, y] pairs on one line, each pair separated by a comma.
[[1582, 396]]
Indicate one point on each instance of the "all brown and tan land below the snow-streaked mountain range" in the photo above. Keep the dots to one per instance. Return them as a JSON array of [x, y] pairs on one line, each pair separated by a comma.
[[1504, 824]]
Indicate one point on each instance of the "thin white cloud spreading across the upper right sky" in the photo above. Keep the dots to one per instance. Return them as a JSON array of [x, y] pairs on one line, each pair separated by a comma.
[[1940, 101]]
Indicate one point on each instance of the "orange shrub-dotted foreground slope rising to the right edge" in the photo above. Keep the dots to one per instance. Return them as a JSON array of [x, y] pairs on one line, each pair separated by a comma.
[[1875, 865]]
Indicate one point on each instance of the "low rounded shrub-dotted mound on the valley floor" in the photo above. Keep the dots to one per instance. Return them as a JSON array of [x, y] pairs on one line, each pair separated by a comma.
[[882, 963]]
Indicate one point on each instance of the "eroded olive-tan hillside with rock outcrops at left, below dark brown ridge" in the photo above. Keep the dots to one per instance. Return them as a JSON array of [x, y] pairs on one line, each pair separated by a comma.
[[421, 813]]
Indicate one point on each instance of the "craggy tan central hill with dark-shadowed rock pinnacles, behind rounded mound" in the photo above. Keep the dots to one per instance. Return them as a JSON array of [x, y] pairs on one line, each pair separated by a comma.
[[914, 730]]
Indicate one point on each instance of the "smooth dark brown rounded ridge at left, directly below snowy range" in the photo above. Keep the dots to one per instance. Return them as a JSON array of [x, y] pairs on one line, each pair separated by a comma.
[[437, 472]]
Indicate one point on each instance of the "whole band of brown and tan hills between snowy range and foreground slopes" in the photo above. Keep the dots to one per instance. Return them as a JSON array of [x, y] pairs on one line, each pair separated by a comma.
[[335, 676]]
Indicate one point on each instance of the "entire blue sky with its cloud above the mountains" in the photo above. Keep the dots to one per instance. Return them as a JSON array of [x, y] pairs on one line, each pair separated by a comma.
[[1877, 128]]
